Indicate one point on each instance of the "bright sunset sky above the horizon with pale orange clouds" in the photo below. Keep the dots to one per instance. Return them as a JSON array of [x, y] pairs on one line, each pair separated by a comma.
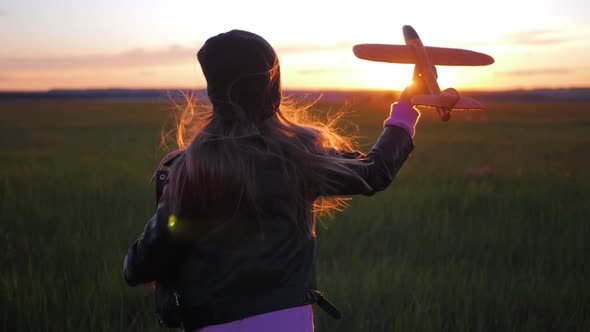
[[152, 44]]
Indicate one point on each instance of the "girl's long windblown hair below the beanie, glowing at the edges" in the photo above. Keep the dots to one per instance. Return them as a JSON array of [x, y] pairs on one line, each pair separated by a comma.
[[215, 177]]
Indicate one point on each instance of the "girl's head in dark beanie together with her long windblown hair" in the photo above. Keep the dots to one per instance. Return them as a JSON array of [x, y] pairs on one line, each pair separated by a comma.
[[249, 123]]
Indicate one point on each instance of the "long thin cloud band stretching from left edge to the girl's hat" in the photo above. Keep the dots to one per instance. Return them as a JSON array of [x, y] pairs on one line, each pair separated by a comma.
[[137, 57]]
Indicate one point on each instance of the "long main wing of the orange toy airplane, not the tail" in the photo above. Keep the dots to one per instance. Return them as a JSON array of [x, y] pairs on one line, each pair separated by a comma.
[[405, 54]]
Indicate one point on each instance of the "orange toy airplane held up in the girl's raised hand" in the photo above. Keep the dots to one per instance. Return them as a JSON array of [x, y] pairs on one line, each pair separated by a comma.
[[426, 58]]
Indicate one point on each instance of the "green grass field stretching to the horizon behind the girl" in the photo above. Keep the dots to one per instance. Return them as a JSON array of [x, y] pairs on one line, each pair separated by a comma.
[[486, 227]]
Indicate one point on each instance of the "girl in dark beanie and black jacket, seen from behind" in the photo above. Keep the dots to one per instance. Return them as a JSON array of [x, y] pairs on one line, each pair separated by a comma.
[[232, 245]]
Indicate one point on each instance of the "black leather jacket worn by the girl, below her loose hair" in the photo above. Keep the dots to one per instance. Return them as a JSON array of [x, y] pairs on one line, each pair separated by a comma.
[[242, 273]]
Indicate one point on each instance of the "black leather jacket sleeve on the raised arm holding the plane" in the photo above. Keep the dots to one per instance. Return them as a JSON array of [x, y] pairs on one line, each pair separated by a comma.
[[375, 170]]
